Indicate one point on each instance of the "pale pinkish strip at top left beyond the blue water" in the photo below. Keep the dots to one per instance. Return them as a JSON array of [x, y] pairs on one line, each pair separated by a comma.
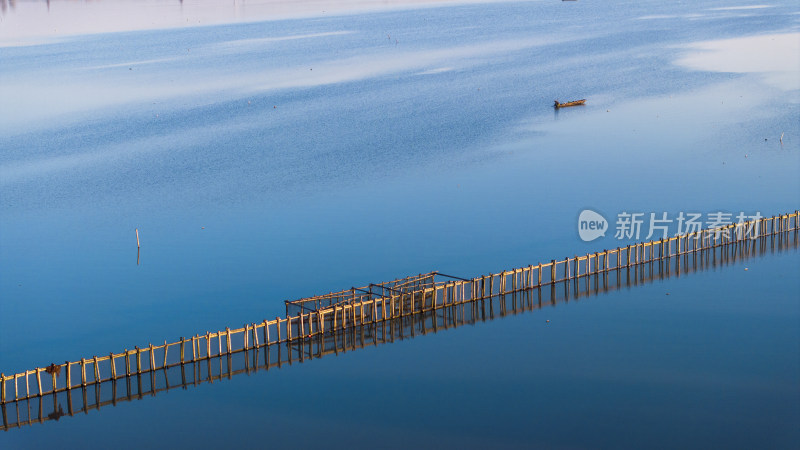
[[30, 23]]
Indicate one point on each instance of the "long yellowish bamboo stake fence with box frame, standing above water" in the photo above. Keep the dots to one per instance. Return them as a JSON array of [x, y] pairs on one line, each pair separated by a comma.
[[350, 308]]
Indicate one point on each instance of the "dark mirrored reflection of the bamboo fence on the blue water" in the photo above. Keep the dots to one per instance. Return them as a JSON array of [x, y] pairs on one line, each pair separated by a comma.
[[351, 338]]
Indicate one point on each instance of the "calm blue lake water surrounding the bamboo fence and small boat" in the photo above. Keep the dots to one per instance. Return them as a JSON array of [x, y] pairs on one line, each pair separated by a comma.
[[271, 160]]
